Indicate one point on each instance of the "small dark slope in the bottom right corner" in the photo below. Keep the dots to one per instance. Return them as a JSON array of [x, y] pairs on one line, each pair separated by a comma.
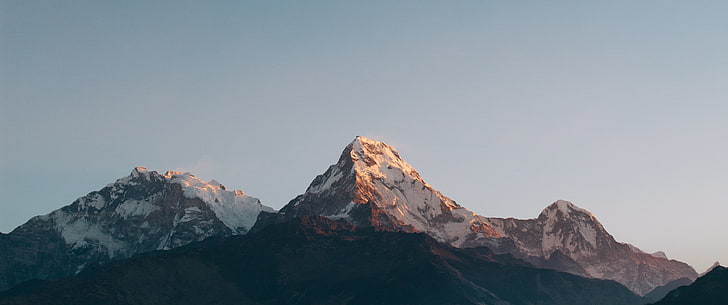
[[709, 289]]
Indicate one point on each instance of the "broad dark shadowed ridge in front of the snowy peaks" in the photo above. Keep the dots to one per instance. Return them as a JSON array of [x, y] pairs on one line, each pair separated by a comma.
[[315, 260]]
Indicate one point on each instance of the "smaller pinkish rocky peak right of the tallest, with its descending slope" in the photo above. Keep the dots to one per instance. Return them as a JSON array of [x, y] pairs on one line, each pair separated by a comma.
[[566, 230]]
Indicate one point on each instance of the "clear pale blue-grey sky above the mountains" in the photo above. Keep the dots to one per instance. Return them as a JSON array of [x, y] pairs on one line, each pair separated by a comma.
[[505, 106]]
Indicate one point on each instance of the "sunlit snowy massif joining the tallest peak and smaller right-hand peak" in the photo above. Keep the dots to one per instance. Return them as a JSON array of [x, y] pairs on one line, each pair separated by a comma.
[[372, 186]]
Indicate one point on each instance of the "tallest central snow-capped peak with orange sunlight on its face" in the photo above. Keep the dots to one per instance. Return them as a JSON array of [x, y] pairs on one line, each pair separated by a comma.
[[371, 185]]
